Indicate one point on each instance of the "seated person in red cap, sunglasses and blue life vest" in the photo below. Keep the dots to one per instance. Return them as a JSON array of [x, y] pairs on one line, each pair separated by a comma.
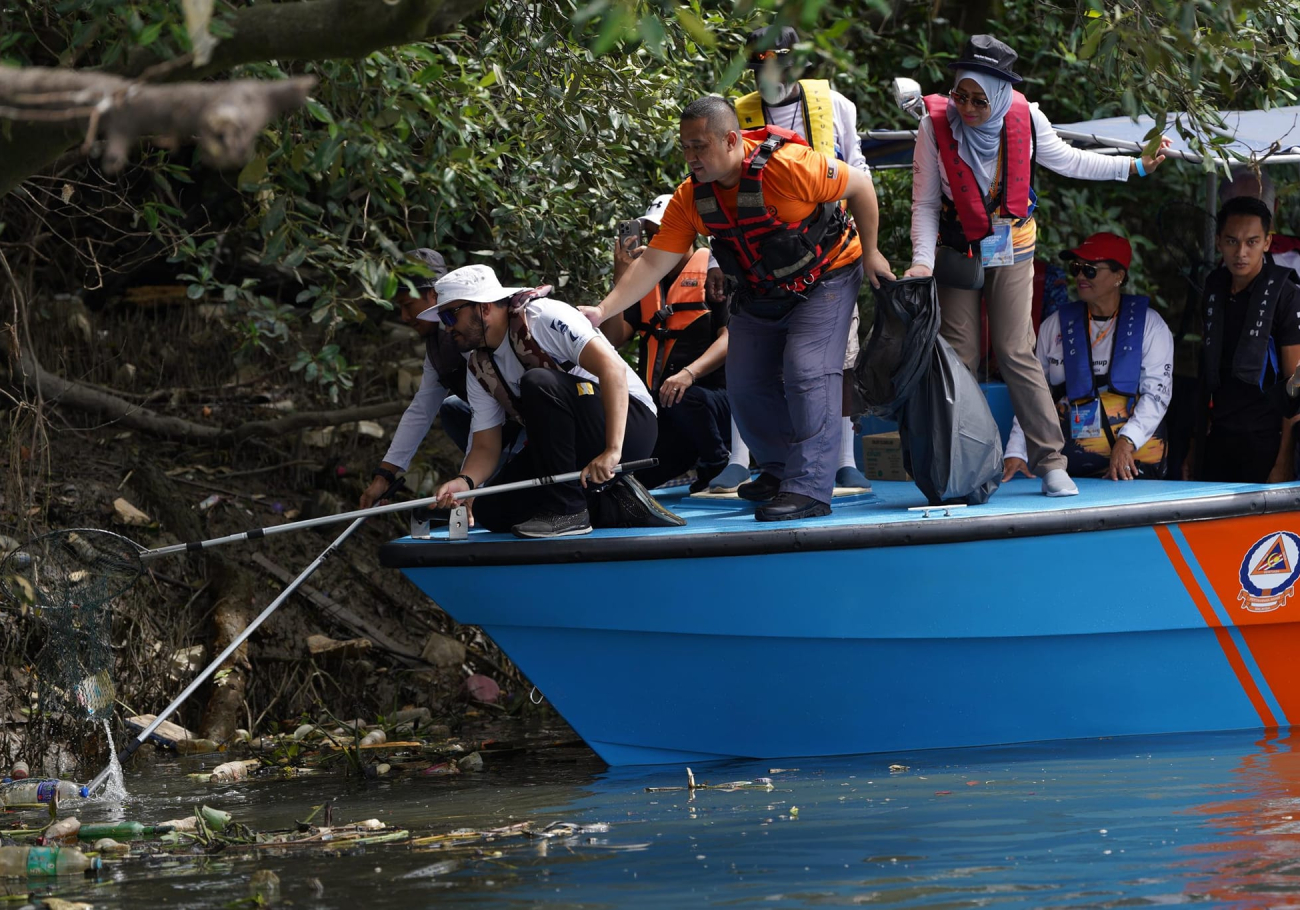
[[1110, 363]]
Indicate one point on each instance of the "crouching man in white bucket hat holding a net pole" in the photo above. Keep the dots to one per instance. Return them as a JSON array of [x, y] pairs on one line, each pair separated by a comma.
[[541, 362]]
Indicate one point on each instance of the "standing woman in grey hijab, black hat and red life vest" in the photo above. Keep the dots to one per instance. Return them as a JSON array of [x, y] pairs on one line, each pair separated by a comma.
[[973, 228]]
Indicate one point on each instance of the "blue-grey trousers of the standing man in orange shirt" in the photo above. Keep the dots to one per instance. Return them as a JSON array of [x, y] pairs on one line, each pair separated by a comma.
[[785, 383]]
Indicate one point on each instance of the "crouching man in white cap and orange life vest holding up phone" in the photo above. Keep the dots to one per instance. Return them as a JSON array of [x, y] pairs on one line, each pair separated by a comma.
[[683, 330]]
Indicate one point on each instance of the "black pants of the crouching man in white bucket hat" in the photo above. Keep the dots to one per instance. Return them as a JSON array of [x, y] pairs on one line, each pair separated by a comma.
[[566, 430]]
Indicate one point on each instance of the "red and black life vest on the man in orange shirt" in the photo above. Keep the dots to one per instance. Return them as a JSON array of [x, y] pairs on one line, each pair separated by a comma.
[[772, 258]]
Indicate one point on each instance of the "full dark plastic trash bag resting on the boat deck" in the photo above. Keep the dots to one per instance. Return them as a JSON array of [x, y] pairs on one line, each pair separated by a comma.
[[951, 443]]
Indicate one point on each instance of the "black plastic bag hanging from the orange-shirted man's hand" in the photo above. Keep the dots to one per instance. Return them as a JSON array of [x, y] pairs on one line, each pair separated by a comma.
[[898, 350]]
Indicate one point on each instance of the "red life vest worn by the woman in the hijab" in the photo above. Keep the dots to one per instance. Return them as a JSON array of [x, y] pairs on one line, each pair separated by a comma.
[[974, 211]]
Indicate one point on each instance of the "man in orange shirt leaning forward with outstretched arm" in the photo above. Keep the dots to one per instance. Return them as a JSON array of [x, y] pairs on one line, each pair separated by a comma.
[[798, 261]]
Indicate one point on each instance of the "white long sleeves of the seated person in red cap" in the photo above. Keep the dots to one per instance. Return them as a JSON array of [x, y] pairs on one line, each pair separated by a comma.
[[1155, 383]]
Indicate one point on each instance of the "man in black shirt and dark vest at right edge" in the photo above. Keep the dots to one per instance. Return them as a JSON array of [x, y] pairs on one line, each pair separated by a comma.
[[1253, 345]]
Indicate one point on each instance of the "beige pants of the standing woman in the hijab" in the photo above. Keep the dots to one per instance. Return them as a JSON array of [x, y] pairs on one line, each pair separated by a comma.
[[1009, 291]]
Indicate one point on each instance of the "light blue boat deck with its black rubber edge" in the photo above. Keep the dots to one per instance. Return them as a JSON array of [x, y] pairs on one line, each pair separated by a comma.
[[895, 514]]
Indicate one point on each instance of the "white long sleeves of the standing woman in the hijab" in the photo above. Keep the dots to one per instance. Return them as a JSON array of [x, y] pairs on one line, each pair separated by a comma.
[[930, 179]]
